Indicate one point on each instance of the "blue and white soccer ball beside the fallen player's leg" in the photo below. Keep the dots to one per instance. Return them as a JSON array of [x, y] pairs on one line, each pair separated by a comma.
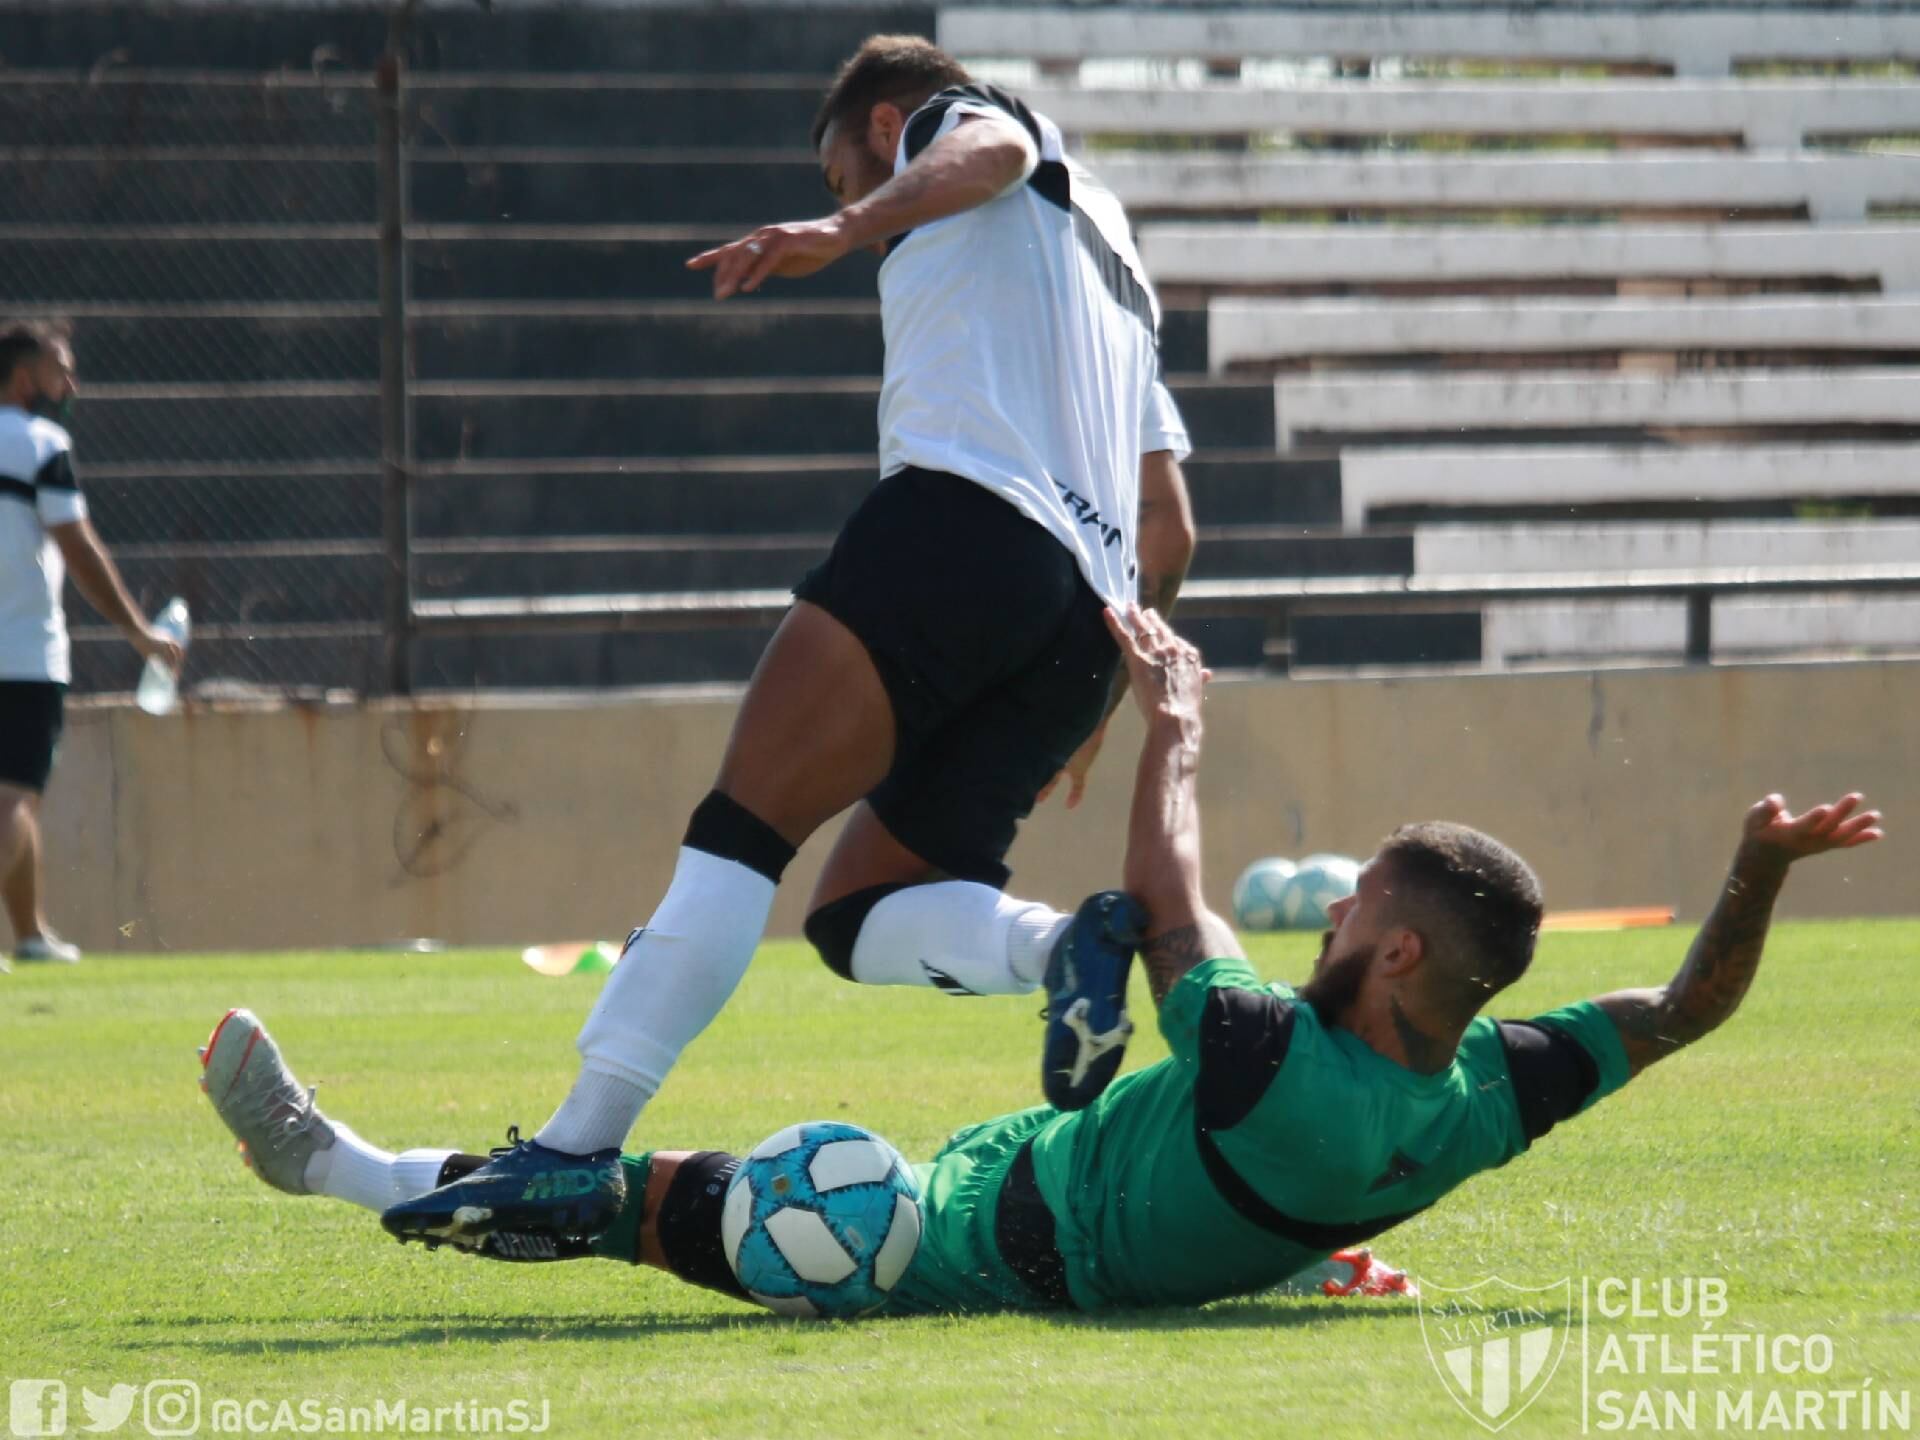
[[821, 1220]]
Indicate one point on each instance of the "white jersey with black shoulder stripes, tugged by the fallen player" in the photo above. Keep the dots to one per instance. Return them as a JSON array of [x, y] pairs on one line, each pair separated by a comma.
[[1022, 347]]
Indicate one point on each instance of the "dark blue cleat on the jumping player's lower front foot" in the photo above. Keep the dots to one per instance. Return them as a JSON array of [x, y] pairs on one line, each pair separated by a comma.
[[525, 1191]]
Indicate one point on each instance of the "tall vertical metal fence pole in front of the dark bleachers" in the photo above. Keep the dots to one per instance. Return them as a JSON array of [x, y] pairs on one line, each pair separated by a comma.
[[396, 443]]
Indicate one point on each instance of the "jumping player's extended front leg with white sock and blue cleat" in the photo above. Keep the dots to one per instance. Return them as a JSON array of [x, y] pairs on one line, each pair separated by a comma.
[[815, 734]]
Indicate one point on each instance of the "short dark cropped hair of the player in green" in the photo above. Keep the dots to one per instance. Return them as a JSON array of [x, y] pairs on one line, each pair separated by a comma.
[[1476, 903]]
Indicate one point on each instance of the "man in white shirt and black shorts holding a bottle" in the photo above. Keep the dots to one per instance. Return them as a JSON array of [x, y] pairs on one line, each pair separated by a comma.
[[45, 537]]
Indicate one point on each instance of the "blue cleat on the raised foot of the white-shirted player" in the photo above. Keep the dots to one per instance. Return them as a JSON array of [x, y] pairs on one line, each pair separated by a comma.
[[1086, 984]]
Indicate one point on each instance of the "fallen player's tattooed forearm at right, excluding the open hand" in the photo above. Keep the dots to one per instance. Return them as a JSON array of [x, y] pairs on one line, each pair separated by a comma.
[[1717, 972]]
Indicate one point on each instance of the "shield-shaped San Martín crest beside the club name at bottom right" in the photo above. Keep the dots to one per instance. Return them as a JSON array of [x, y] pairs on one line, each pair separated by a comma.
[[1495, 1345]]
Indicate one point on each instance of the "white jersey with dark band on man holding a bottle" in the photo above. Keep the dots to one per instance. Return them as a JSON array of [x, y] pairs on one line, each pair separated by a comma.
[[37, 491]]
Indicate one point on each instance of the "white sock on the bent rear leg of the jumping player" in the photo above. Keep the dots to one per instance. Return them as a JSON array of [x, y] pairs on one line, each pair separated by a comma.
[[957, 936]]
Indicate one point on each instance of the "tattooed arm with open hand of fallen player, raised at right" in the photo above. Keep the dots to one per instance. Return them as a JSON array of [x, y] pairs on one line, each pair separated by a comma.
[[1727, 953]]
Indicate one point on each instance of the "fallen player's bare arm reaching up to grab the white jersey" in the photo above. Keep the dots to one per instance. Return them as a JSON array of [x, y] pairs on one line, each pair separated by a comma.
[[1163, 867]]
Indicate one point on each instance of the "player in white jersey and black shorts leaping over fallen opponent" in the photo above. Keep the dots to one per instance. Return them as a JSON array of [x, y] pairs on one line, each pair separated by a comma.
[[949, 661]]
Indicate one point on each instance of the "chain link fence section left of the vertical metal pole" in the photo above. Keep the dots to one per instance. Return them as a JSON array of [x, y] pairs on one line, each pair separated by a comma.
[[214, 243]]
